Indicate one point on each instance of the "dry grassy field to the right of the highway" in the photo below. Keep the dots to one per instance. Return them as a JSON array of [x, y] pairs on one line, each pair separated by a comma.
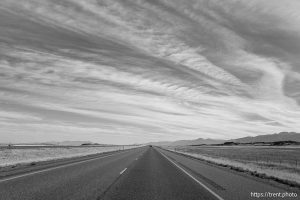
[[279, 163]]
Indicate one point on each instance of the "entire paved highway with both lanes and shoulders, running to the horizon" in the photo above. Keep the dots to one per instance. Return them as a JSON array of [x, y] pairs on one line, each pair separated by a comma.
[[147, 173]]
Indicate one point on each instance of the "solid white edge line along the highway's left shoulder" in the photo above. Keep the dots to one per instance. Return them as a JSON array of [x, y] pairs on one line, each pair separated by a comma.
[[52, 168]]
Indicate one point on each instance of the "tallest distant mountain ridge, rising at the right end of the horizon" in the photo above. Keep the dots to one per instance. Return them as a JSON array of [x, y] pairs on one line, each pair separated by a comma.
[[282, 136]]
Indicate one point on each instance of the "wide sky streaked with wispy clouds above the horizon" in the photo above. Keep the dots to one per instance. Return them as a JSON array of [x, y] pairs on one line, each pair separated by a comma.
[[135, 71]]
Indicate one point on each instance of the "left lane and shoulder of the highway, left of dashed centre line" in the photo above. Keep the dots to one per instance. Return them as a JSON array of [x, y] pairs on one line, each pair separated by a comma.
[[81, 180]]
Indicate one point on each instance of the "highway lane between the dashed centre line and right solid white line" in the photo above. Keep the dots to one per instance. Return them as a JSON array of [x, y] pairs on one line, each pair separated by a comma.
[[154, 177]]
